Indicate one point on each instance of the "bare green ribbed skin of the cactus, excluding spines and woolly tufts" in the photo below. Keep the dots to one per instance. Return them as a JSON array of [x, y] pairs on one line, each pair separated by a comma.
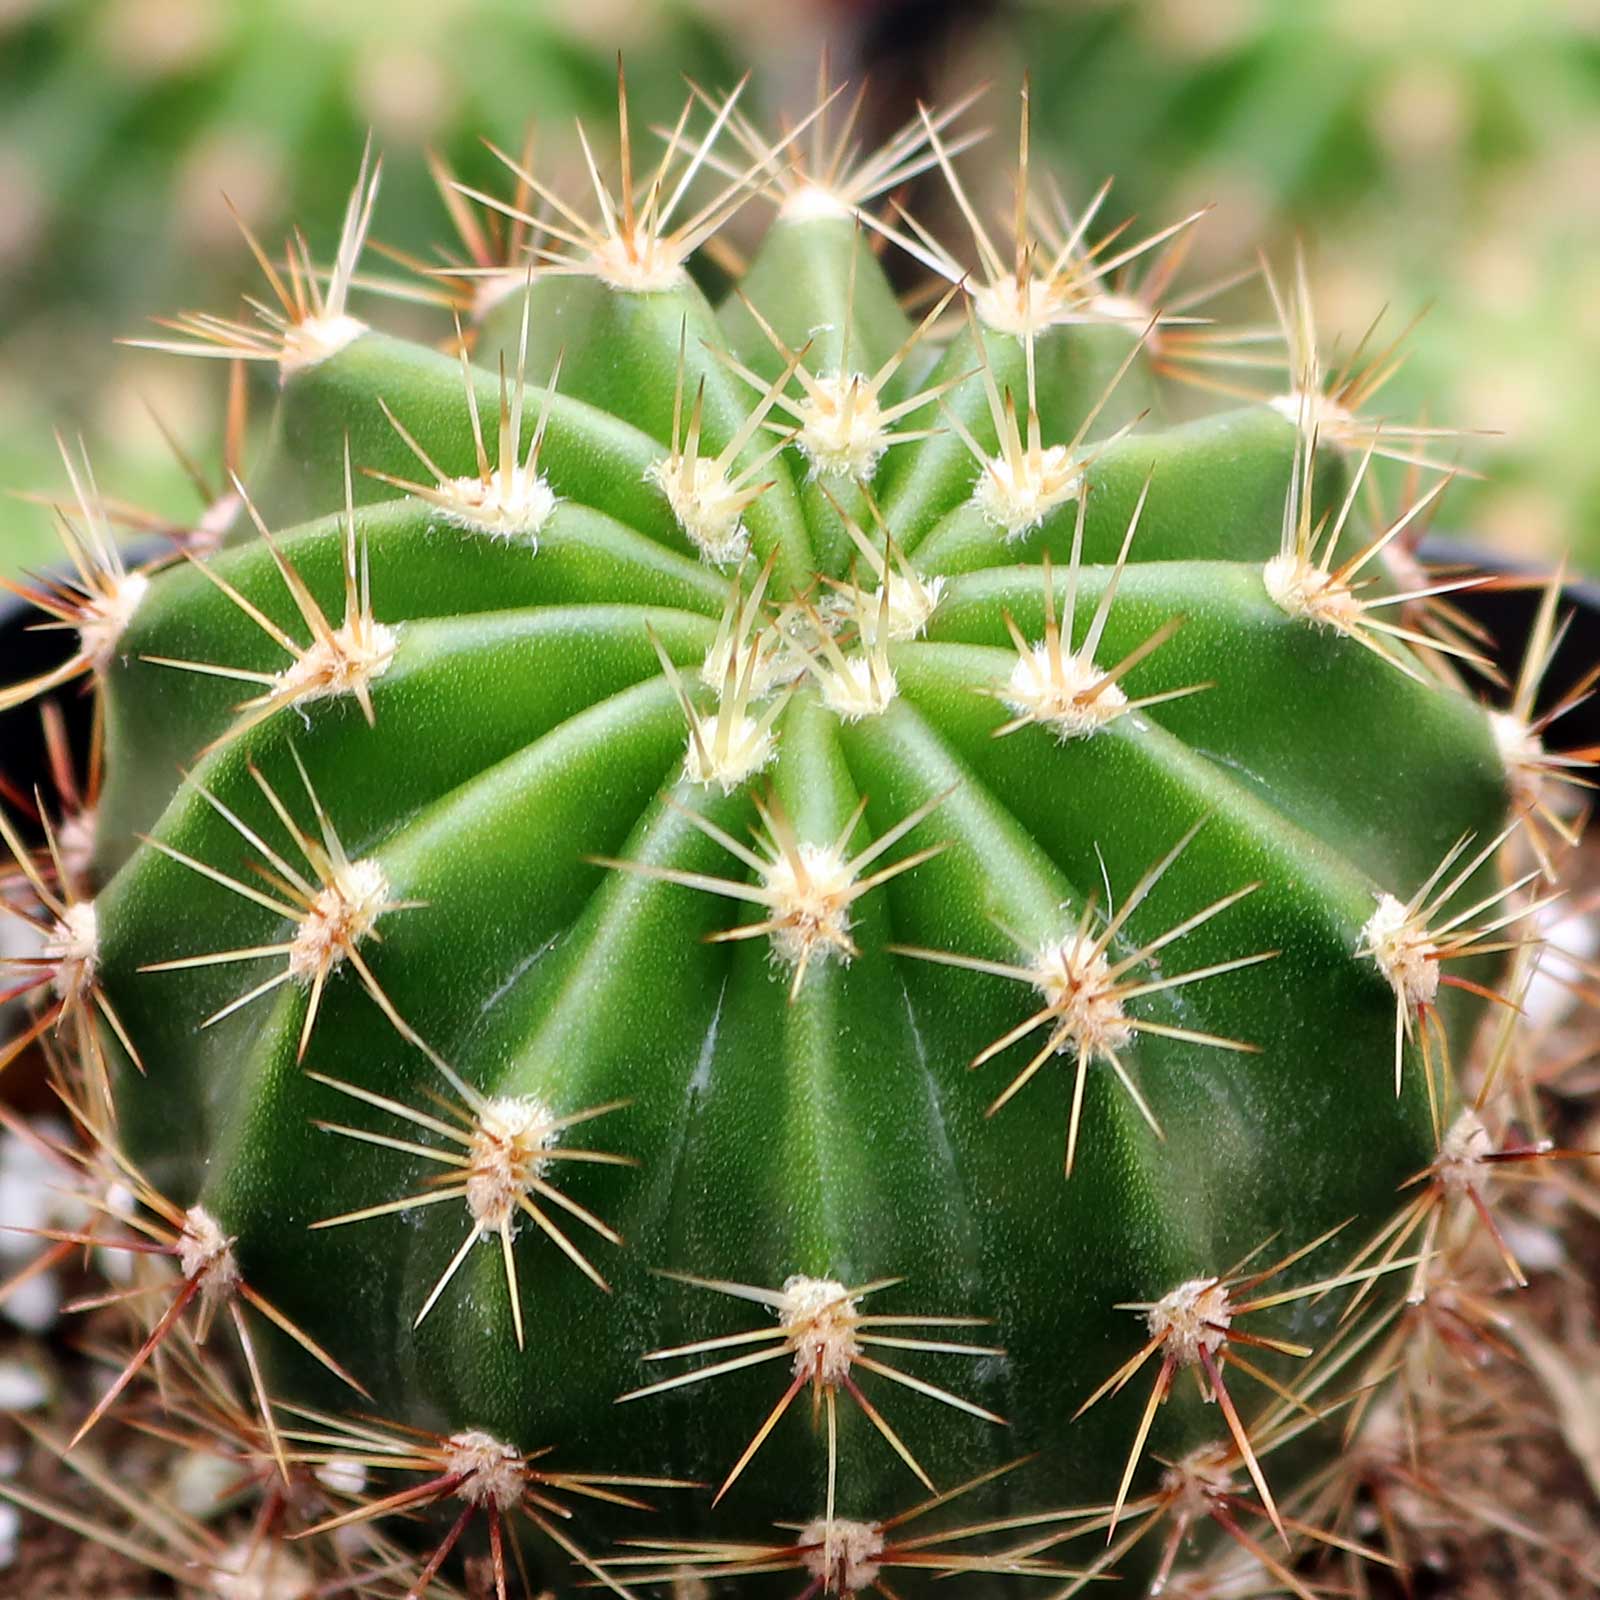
[[526, 727]]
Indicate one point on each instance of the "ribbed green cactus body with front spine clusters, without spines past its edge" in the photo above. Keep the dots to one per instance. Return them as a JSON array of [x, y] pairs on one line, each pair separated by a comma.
[[513, 1111]]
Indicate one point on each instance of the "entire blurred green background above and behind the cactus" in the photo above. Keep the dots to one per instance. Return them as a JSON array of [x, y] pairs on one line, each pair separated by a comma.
[[1426, 153]]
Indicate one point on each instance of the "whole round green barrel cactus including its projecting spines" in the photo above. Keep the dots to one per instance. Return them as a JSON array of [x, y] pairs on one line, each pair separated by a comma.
[[721, 919]]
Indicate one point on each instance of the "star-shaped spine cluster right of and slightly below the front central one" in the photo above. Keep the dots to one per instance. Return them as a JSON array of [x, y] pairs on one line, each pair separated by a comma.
[[1086, 994]]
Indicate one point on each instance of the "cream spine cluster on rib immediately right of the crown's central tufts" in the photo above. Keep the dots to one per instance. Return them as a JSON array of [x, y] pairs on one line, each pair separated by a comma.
[[1063, 689]]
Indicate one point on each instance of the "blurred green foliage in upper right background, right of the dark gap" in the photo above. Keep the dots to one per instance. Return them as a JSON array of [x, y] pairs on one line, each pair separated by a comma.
[[1433, 154]]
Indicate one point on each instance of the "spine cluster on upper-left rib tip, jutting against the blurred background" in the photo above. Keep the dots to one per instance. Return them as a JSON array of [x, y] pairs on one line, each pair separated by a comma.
[[308, 324]]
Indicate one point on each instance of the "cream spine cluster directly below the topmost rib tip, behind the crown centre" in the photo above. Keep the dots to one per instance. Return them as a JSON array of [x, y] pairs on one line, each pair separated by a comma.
[[842, 426]]
